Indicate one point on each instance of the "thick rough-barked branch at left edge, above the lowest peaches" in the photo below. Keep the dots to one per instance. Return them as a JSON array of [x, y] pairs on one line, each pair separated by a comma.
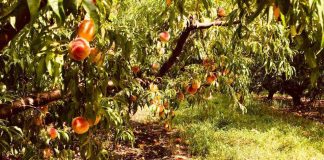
[[11, 108]]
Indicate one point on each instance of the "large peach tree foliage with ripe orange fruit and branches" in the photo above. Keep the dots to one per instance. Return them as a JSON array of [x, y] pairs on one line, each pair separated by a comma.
[[72, 72]]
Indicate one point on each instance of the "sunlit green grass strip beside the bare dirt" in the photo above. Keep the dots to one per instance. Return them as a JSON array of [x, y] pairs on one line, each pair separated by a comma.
[[220, 132]]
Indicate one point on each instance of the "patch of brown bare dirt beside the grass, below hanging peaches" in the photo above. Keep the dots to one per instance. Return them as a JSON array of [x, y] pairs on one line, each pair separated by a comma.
[[153, 142]]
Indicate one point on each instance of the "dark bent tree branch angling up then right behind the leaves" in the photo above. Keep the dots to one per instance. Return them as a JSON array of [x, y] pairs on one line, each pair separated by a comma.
[[182, 40]]
